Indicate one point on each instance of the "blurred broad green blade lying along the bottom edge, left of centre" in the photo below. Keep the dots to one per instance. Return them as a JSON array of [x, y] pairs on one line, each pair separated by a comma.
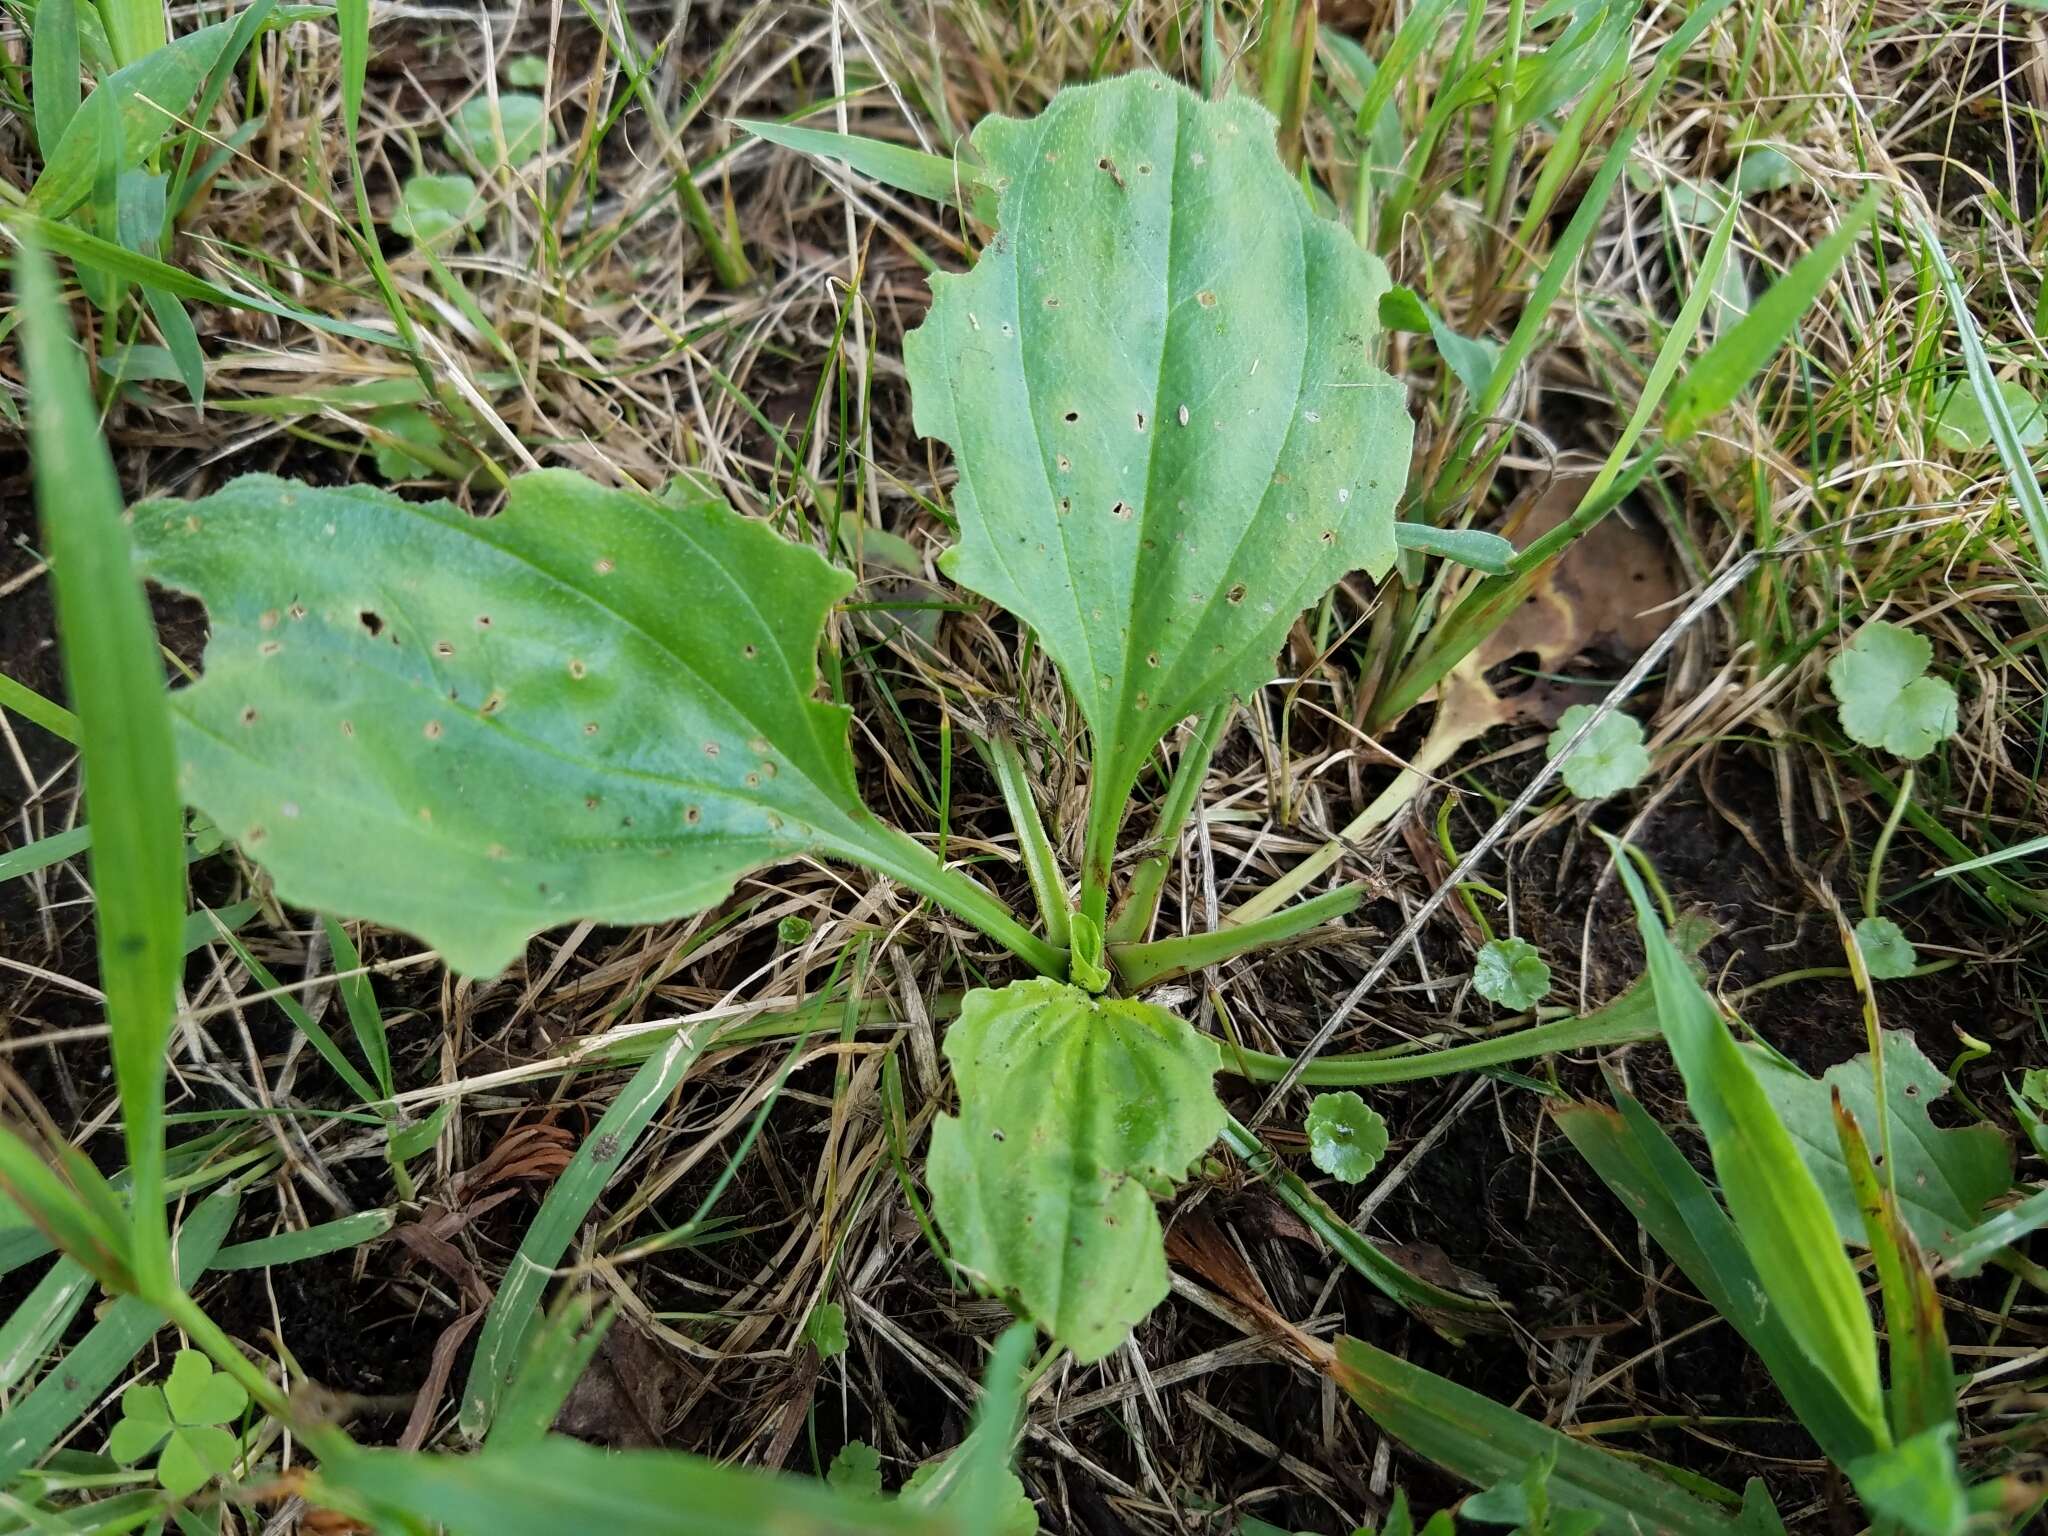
[[564, 1486]]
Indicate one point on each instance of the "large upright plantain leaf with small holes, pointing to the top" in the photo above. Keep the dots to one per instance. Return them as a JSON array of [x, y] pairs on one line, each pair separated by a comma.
[[1160, 392]]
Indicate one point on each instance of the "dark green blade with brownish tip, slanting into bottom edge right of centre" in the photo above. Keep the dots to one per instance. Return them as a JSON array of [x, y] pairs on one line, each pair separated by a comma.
[[1486, 1443]]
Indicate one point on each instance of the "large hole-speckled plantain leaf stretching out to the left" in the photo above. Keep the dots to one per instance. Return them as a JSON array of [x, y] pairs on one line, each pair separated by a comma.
[[591, 706]]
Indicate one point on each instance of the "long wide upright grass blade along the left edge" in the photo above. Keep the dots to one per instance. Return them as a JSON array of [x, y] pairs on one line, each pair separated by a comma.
[[118, 687]]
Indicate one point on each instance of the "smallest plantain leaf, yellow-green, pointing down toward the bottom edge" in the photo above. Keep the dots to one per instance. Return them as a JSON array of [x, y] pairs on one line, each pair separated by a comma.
[[1072, 1111]]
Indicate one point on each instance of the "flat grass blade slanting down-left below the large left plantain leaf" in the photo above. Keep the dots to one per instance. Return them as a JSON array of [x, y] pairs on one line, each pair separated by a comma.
[[605, 1150]]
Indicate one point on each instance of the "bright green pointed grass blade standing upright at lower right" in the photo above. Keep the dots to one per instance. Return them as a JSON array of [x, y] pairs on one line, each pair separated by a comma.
[[1779, 1209]]
